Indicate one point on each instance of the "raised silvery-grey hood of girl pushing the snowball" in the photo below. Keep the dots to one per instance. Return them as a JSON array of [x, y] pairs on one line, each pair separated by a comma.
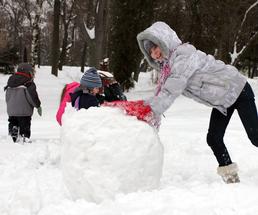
[[163, 36]]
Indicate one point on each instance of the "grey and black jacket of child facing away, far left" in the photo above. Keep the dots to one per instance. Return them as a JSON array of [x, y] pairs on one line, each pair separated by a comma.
[[21, 95]]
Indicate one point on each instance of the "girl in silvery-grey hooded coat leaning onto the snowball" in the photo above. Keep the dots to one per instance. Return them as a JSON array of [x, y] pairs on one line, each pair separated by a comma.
[[188, 71]]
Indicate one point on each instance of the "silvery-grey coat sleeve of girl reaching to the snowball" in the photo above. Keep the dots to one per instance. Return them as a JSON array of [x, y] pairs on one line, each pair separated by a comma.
[[182, 69]]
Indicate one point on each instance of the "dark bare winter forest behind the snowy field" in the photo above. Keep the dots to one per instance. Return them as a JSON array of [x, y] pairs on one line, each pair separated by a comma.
[[84, 32]]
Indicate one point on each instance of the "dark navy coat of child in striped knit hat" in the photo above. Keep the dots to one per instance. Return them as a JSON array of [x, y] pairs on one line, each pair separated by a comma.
[[86, 99]]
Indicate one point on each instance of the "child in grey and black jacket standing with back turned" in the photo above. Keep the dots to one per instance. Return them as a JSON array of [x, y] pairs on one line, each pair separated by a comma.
[[21, 98]]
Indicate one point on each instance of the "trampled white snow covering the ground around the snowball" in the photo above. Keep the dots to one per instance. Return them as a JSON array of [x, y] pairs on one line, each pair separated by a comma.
[[31, 180]]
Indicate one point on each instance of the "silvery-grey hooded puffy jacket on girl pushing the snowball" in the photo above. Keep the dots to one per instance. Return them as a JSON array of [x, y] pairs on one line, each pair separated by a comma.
[[193, 73]]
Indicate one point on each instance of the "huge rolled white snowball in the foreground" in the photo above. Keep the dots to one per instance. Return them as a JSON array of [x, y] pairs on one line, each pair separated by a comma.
[[106, 152]]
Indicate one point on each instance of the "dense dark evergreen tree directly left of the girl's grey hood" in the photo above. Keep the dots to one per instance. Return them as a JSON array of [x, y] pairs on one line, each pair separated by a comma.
[[128, 19]]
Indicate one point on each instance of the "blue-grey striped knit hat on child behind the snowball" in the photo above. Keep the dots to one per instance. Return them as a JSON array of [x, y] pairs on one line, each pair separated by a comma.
[[91, 79]]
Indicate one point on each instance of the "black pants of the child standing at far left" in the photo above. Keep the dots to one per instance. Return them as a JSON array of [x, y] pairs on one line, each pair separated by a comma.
[[22, 122]]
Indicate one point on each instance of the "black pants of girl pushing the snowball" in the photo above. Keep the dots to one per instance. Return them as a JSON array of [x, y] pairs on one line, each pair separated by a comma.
[[246, 108]]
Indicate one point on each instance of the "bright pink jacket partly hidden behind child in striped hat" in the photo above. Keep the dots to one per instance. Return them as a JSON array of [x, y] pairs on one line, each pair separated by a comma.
[[69, 88]]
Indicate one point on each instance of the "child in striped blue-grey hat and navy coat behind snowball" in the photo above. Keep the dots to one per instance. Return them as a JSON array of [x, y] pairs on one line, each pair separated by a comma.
[[85, 95]]
